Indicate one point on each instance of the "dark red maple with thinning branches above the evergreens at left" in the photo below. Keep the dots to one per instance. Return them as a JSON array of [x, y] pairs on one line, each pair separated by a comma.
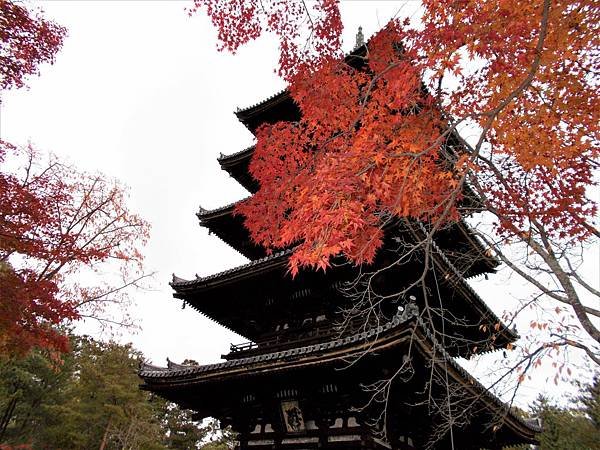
[[55, 222]]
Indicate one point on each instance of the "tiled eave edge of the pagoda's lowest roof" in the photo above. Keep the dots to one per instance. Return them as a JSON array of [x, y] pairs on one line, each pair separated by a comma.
[[404, 327]]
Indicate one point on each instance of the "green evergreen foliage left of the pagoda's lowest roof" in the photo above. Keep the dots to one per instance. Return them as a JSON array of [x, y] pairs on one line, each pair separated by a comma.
[[91, 399]]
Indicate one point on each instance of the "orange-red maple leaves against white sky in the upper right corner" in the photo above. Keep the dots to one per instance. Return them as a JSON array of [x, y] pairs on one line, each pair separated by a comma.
[[536, 92]]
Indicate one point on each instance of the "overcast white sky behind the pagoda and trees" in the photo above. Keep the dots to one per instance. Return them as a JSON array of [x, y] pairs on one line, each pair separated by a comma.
[[140, 93]]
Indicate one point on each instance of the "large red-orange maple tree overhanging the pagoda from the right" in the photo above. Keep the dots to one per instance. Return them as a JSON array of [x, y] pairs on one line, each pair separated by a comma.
[[374, 141]]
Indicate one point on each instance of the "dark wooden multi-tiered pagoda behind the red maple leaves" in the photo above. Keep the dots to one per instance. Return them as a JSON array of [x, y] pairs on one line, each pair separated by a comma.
[[312, 375]]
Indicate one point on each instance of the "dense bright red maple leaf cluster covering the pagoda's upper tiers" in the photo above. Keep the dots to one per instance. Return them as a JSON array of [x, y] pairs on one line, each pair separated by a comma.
[[366, 148]]
